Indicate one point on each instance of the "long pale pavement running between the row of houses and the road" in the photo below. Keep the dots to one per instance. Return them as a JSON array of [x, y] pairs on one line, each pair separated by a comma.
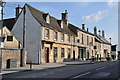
[[43, 66]]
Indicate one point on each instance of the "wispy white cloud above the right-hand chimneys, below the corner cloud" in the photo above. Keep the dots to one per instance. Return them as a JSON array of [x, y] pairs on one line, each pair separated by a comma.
[[95, 17]]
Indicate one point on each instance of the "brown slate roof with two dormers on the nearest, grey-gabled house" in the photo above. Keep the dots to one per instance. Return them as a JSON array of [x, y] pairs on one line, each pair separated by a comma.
[[54, 23]]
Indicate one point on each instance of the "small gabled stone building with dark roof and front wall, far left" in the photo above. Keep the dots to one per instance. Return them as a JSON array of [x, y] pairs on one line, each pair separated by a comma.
[[10, 47]]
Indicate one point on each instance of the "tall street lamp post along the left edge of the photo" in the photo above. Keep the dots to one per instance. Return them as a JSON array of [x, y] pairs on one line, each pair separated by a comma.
[[2, 4]]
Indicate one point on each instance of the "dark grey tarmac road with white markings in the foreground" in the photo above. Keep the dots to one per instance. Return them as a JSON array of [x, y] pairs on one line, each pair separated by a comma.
[[108, 69]]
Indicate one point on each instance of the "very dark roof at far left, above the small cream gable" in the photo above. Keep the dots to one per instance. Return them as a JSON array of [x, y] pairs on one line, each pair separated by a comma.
[[9, 23]]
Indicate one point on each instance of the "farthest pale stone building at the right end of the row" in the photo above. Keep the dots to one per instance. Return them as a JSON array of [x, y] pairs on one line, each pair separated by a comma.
[[102, 46]]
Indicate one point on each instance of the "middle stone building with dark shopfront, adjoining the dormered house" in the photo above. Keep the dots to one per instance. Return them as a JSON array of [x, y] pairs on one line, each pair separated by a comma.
[[85, 41]]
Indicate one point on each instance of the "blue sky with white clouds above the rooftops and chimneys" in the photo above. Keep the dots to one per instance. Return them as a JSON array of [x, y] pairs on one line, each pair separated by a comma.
[[104, 15]]
